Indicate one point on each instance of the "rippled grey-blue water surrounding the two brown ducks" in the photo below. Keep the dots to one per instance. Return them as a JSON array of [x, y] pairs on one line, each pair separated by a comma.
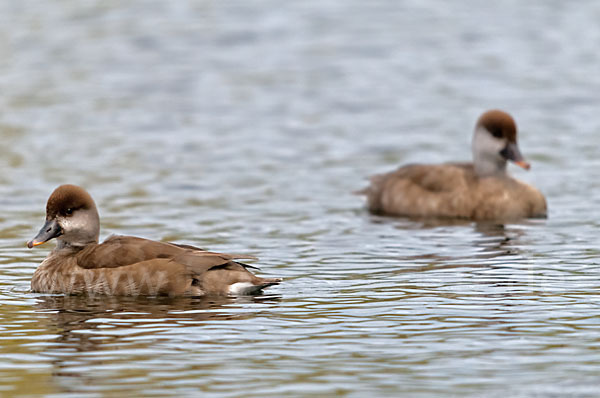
[[244, 127]]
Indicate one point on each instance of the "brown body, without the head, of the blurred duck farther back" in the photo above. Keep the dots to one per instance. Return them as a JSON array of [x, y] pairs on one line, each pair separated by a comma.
[[452, 190]]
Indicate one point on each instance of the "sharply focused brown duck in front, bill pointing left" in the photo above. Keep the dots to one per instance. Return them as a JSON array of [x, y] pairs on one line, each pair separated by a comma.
[[128, 265]]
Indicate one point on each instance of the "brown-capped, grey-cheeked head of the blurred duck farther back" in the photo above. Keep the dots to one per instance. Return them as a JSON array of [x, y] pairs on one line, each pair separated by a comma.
[[495, 142]]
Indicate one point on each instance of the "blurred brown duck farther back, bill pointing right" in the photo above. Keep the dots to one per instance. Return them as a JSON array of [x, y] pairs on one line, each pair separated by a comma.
[[480, 190]]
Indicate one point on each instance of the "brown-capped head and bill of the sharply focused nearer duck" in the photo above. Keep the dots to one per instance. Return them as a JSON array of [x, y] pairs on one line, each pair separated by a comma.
[[71, 218]]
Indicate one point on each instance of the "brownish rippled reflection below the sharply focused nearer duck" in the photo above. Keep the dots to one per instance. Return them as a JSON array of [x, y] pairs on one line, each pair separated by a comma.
[[102, 325]]
